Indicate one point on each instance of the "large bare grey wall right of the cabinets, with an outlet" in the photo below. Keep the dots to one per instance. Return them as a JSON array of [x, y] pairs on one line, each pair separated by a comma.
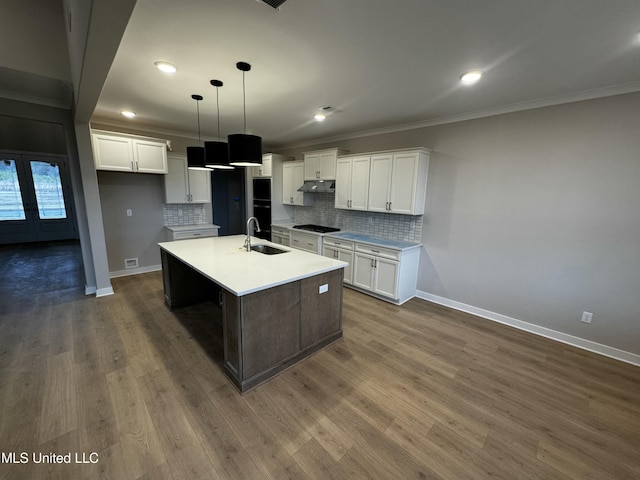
[[535, 215]]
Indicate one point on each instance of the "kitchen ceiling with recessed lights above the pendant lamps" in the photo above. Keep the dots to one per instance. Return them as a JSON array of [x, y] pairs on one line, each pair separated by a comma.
[[380, 64]]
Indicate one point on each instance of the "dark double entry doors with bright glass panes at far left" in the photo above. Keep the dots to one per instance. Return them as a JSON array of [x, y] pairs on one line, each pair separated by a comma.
[[35, 199]]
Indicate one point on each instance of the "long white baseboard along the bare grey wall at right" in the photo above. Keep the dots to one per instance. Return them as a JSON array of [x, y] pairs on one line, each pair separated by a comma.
[[594, 347]]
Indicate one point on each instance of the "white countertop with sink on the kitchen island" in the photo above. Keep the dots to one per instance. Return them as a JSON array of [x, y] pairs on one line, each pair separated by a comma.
[[225, 261]]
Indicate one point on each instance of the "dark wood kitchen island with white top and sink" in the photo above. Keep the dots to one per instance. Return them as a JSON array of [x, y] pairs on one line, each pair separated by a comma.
[[276, 309]]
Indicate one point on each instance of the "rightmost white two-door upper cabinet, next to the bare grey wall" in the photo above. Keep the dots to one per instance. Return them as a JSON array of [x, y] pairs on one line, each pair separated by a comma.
[[398, 182]]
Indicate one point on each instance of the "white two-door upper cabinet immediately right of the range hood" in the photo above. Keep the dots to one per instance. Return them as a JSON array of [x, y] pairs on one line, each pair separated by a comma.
[[352, 182]]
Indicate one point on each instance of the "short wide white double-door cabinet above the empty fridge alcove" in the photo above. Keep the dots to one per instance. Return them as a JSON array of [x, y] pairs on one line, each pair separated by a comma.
[[129, 153]]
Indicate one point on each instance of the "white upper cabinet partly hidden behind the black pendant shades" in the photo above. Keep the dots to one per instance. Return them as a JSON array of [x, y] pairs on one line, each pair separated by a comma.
[[182, 185]]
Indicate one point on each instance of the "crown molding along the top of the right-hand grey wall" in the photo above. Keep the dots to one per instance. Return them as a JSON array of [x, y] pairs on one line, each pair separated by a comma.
[[592, 94]]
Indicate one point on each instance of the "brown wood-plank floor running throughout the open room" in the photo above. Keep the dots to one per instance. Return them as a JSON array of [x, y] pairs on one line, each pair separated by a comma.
[[417, 391]]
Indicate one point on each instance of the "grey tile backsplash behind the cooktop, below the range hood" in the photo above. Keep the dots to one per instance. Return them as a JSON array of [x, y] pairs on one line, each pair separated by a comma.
[[384, 225]]
